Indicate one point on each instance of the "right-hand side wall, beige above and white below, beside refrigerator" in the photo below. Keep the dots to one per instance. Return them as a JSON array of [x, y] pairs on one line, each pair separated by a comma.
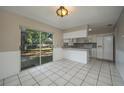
[[119, 42]]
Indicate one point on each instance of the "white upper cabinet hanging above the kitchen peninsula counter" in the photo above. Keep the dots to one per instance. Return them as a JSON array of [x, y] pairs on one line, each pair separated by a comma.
[[75, 34]]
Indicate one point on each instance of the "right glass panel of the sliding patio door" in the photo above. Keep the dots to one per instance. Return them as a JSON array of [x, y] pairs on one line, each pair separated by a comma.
[[46, 47]]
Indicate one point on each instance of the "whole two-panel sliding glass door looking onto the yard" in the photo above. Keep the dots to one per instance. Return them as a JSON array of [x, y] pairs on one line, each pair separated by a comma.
[[36, 48]]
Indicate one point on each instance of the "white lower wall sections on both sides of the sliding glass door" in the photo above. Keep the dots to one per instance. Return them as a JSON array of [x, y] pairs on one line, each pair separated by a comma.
[[10, 62]]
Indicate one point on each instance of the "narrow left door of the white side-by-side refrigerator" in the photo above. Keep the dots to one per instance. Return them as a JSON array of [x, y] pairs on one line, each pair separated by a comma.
[[100, 47]]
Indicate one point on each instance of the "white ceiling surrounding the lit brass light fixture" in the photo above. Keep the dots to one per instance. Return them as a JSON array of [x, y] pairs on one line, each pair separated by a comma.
[[78, 15]]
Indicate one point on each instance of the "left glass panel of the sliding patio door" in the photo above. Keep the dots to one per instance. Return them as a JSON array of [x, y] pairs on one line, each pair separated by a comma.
[[30, 49]]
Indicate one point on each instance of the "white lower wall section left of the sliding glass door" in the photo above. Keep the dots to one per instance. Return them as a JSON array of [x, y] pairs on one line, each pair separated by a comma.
[[9, 63]]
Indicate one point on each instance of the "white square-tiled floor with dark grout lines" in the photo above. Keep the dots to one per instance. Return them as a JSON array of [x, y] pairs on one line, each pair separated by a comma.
[[67, 73]]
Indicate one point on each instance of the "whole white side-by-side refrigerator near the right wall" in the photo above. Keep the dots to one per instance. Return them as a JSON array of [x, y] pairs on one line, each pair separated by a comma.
[[105, 47]]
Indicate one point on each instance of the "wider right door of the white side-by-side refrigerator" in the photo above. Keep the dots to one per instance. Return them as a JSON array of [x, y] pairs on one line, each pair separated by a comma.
[[108, 47]]
